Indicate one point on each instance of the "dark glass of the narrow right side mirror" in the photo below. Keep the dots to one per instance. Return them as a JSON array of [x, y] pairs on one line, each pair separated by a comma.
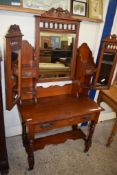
[[105, 69]]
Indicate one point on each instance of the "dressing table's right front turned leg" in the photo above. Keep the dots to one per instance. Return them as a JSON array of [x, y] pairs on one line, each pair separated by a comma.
[[88, 141]]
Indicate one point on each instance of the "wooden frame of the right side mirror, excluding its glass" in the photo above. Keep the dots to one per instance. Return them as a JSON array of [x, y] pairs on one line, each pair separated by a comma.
[[109, 45]]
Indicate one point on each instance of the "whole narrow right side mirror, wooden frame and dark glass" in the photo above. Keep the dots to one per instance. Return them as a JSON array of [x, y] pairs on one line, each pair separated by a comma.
[[107, 62]]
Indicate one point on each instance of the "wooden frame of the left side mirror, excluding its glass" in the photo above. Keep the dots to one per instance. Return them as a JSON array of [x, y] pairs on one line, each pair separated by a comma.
[[13, 43]]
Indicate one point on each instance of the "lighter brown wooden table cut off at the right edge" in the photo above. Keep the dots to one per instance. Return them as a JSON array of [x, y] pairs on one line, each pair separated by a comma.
[[110, 97]]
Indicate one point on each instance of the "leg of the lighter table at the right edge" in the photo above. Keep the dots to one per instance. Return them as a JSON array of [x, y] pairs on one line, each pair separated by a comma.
[[113, 132]]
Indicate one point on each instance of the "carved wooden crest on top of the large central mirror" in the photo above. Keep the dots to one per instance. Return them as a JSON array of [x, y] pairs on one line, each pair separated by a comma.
[[57, 13]]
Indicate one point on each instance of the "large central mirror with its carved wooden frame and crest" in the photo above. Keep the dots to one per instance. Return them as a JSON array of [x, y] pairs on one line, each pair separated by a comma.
[[56, 41]]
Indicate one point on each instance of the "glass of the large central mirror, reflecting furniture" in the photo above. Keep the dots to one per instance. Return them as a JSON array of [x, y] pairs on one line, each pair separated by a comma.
[[56, 53]]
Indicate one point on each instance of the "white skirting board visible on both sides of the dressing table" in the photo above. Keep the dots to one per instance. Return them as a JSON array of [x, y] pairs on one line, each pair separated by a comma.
[[17, 130]]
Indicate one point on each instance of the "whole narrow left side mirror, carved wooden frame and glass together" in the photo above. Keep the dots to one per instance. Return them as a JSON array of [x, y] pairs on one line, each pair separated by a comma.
[[13, 49]]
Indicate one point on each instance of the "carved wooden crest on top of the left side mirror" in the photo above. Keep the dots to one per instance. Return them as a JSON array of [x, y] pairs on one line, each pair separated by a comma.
[[14, 30]]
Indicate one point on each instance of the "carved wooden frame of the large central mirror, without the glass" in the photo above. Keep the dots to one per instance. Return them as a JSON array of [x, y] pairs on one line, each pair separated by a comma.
[[57, 16]]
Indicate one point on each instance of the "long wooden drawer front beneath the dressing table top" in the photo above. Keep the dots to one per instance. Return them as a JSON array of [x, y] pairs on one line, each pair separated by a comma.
[[62, 123]]
